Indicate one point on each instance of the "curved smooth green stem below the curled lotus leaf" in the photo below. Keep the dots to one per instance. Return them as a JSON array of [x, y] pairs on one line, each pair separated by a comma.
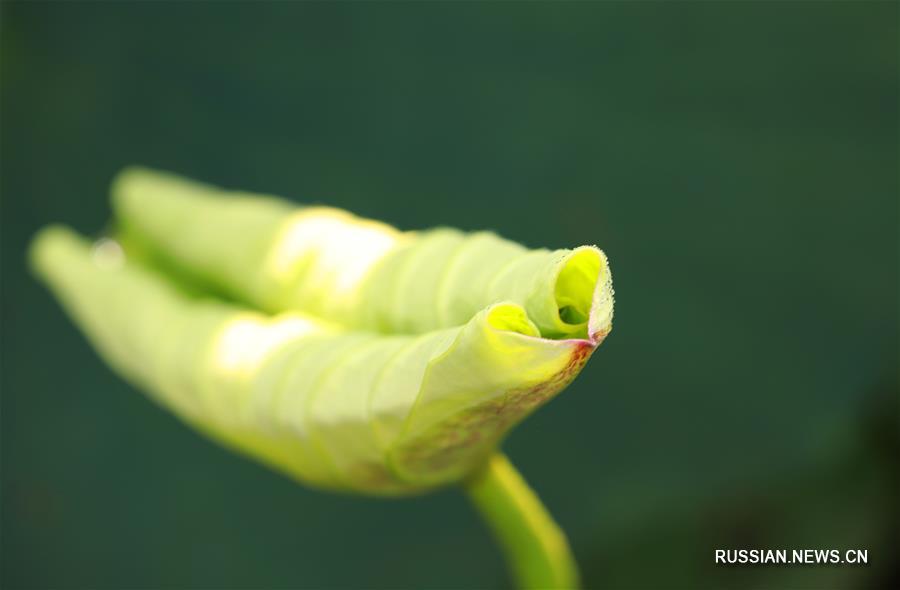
[[535, 547]]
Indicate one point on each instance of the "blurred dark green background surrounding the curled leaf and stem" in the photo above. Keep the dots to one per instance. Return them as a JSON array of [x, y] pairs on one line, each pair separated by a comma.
[[737, 161]]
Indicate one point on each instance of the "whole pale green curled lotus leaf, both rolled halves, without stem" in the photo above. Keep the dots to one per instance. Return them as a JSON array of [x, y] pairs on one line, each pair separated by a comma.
[[348, 354]]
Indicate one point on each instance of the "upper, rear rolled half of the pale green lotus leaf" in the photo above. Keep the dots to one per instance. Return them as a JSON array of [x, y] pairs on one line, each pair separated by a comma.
[[361, 274]]
